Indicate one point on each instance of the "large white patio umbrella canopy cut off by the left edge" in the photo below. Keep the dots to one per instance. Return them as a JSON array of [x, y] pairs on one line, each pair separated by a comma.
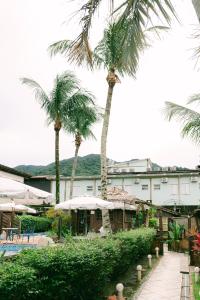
[[13, 189]]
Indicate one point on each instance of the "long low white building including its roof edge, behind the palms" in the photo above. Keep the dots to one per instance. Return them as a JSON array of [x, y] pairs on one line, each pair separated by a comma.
[[166, 188]]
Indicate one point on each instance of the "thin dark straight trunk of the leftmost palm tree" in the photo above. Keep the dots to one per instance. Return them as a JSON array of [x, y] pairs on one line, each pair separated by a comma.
[[57, 165]]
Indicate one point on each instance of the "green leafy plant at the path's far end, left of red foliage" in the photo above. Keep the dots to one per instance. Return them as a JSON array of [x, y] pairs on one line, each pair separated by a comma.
[[175, 235]]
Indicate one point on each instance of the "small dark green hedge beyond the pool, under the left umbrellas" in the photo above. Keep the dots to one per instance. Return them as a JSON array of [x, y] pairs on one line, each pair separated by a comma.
[[39, 224]]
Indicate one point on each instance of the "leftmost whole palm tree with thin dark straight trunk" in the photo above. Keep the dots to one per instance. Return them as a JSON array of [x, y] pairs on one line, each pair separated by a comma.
[[65, 95]]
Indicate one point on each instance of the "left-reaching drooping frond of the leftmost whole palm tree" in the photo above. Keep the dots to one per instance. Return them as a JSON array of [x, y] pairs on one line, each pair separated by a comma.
[[40, 94]]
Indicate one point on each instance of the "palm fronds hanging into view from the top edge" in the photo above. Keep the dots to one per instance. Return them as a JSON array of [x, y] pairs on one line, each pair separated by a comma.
[[139, 11]]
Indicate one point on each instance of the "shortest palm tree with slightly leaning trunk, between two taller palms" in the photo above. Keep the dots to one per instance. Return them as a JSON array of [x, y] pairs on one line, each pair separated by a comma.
[[79, 124]]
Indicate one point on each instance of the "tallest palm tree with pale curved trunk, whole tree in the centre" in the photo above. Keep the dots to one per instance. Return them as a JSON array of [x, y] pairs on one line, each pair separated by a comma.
[[118, 52]]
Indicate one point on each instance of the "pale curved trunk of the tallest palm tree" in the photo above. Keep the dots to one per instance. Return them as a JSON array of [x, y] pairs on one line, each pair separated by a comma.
[[111, 79]]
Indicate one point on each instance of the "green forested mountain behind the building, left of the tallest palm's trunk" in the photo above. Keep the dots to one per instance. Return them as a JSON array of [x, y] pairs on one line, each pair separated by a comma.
[[87, 165]]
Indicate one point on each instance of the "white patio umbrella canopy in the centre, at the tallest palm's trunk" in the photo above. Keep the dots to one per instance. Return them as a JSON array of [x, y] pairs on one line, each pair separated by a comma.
[[85, 203]]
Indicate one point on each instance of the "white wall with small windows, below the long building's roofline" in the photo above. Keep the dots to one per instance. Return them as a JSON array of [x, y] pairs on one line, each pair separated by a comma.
[[179, 190]]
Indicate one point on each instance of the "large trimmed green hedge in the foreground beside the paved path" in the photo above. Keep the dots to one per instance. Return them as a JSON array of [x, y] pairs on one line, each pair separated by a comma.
[[76, 271]]
